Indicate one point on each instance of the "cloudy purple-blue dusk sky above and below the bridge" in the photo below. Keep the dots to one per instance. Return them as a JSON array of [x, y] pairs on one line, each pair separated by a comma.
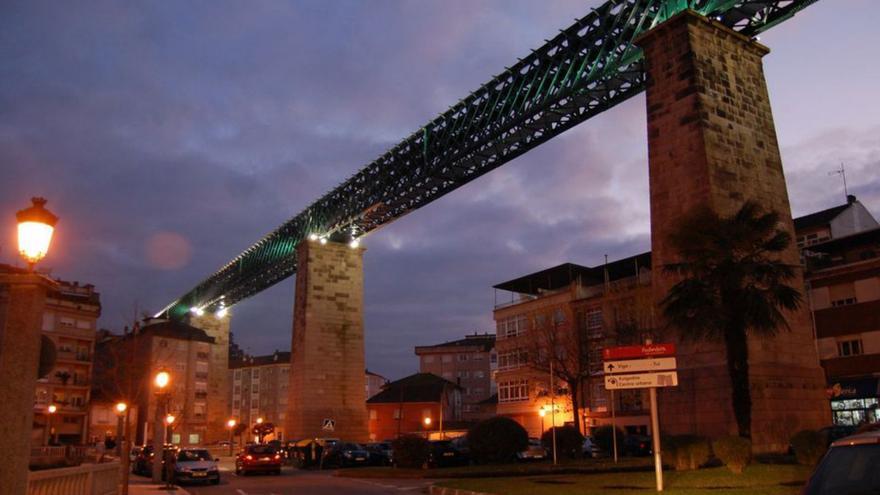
[[213, 122]]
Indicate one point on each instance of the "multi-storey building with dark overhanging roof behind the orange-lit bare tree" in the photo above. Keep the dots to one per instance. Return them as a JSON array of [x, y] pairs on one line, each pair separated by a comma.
[[579, 311]]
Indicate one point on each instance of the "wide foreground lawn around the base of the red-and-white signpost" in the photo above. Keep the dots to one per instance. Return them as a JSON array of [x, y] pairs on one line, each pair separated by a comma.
[[759, 479]]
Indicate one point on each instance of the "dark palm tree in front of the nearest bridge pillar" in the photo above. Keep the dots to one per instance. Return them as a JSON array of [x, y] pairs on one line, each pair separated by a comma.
[[733, 285]]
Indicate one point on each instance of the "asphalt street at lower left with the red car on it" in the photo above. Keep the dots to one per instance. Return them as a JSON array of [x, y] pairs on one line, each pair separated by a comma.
[[294, 481]]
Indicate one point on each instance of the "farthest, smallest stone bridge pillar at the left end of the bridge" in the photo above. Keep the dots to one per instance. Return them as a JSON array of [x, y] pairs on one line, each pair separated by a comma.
[[219, 389]]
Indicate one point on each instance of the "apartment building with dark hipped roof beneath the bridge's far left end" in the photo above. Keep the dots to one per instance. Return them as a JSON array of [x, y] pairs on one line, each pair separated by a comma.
[[126, 365]]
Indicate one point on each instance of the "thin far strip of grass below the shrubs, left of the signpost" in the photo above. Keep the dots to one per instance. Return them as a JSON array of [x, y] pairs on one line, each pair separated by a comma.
[[503, 470]]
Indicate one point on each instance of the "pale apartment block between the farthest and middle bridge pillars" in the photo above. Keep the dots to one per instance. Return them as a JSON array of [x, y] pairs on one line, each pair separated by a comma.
[[259, 390]]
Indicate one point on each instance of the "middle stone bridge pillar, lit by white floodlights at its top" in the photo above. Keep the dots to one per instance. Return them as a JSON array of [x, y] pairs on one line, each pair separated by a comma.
[[327, 348]]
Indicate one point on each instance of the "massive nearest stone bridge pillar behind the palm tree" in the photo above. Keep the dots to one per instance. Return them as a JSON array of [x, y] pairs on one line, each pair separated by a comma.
[[712, 141]]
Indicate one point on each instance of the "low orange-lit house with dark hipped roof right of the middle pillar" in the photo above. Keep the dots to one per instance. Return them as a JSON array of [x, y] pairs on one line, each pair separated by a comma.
[[403, 407]]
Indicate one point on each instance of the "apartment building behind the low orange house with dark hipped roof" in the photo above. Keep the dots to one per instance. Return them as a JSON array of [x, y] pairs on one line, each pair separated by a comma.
[[469, 362]]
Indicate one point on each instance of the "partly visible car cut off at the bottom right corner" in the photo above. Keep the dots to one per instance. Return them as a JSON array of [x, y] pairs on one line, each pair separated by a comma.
[[849, 467]]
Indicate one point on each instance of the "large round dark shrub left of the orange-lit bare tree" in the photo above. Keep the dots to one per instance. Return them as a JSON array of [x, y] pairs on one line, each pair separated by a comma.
[[497, 439]]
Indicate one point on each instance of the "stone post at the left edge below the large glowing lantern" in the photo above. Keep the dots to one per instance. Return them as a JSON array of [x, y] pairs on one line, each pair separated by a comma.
[[22, 303]]
